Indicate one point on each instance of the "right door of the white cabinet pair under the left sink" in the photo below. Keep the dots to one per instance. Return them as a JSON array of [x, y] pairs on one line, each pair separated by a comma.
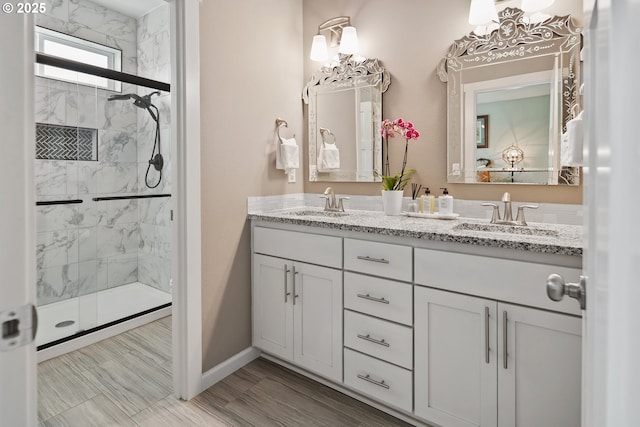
[[317, 309]]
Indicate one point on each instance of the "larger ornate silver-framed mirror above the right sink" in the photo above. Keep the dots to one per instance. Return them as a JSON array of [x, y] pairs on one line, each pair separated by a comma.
[[510, 94]]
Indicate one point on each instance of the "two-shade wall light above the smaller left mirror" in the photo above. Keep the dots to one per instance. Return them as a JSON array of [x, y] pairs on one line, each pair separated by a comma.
[[340, 33]]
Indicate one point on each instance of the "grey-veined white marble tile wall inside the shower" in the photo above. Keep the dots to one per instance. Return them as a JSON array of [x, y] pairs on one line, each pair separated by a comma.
[[92, 246]]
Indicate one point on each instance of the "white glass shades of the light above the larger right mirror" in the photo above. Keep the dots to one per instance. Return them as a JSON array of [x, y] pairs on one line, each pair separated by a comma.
[[484, 14]]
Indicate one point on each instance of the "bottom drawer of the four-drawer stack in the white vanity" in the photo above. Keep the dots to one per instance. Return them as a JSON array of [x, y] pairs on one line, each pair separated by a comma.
[[388, 383]]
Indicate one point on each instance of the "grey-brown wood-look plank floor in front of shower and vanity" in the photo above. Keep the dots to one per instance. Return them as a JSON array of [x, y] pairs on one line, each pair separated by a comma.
[[126, 381]]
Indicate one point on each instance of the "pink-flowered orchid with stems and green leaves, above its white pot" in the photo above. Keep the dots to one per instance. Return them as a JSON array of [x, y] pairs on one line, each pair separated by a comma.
[[389, 129]]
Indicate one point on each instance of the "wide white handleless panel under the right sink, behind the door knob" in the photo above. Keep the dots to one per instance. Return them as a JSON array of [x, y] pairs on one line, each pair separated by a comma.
[[507, 280]]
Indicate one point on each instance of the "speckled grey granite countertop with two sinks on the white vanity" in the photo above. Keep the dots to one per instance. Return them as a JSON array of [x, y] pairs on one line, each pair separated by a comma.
[[545, 238]]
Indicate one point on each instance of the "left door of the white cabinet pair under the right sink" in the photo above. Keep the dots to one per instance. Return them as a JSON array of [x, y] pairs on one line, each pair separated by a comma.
[[455, 359]]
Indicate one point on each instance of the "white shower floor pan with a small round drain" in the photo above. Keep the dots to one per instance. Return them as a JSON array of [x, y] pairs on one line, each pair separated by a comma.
[[97, 309]]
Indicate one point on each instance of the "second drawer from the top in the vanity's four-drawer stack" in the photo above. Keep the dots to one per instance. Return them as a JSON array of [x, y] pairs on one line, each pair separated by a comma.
[[379, 297]]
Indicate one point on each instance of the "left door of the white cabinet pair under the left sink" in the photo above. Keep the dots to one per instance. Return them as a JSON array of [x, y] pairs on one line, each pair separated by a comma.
[[272, 310]]
